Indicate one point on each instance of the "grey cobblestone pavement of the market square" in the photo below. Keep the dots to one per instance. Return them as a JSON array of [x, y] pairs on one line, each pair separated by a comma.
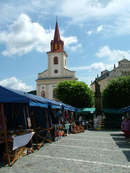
[[88, 152]]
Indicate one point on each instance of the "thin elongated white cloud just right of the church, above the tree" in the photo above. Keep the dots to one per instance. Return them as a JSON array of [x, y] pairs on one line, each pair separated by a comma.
[[100, 66]]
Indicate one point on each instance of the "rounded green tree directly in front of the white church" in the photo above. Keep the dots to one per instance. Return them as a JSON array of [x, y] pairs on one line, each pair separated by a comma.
[[75, 93]]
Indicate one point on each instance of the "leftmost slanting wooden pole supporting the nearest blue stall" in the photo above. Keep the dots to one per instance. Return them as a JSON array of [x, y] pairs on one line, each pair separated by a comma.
[[5, 132]]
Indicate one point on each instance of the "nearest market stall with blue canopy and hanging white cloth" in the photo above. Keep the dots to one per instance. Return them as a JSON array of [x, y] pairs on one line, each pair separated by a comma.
[[15, 122]]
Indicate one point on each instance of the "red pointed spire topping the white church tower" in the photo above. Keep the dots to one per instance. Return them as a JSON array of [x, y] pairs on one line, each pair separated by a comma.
[[57, 45]]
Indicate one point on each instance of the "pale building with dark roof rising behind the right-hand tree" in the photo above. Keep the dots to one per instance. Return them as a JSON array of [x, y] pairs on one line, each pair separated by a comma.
[[123, 69]]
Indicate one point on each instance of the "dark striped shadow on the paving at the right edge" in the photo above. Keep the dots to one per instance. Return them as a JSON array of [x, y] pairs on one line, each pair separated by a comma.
[[122, 143]]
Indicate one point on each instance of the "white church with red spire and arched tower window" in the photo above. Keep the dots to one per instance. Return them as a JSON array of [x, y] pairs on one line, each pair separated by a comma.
[[57, 70]]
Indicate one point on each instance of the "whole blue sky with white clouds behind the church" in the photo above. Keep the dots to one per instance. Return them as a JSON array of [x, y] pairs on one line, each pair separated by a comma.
[[96, 34]]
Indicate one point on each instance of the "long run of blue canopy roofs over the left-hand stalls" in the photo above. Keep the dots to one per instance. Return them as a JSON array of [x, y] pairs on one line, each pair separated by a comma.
[[8, 95]]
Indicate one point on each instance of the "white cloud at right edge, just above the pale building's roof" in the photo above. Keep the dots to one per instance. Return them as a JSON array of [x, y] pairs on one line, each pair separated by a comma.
[[113, 55]]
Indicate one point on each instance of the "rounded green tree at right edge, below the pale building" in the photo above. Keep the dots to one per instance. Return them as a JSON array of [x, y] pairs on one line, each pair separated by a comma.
[[117, 93]]
